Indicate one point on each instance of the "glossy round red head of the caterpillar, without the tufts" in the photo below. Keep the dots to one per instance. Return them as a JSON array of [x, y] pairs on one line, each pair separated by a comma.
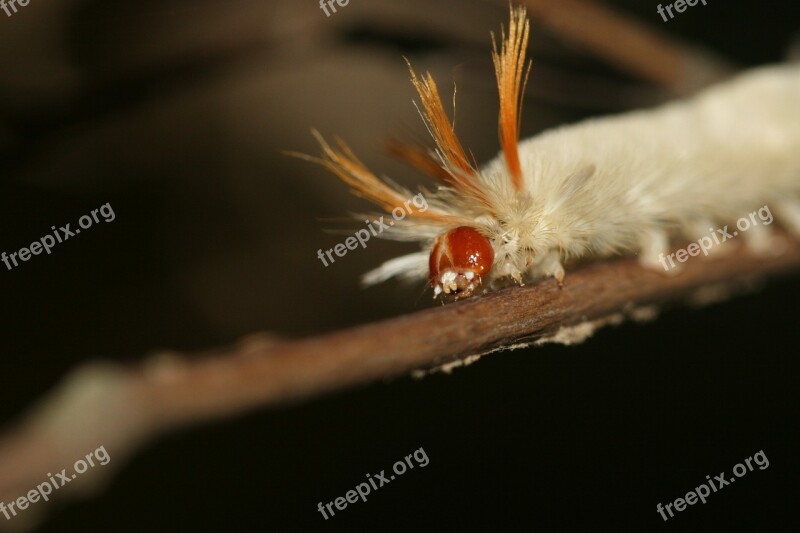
[[459, 259]]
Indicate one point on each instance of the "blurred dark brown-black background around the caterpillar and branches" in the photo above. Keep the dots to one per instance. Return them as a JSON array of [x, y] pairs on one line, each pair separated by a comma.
[[176, 111]]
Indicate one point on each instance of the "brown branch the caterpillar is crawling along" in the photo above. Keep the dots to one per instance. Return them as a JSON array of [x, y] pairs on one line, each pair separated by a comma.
[[121, 408]]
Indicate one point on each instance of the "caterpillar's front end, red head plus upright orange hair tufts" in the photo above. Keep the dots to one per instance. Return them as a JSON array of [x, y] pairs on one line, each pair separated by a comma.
[[462, 257]]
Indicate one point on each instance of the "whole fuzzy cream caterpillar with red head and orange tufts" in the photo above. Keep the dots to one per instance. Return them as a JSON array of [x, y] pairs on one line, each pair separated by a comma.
[[632, 183]]
